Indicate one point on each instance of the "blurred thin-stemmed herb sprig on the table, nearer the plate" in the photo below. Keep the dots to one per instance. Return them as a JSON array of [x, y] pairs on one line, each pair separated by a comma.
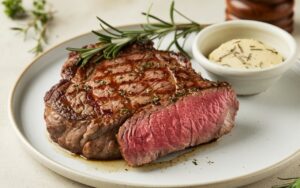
[[41, 16]]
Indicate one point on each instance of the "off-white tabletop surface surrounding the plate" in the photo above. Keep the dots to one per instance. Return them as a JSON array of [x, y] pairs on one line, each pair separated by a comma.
[[74, 17]]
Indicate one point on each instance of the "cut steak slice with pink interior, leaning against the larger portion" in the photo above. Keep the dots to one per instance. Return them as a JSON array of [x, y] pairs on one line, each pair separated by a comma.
[[194, 119]]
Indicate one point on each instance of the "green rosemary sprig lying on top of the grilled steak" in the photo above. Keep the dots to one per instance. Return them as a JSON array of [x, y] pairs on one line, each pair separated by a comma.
[[113, 40]]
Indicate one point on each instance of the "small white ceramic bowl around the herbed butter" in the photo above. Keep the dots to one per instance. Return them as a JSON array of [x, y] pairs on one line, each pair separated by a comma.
[[245, 81]]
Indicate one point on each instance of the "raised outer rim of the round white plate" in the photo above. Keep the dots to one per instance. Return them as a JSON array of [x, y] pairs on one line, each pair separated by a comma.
[[85, 179]]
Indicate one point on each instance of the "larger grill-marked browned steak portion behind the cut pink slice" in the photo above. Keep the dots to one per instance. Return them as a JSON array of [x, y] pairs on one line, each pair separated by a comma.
[[85, 110]]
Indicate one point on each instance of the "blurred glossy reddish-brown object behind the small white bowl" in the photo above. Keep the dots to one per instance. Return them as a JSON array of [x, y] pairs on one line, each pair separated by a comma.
[[276, 12]]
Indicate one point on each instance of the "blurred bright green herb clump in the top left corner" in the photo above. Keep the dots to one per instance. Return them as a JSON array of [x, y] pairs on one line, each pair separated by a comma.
[[14, 9]]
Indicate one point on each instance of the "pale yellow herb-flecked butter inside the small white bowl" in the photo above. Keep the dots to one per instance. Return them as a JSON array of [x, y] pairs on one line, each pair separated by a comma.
[[246, 53]]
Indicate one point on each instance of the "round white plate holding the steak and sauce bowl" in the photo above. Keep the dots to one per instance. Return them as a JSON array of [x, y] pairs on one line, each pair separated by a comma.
[[265, 139]]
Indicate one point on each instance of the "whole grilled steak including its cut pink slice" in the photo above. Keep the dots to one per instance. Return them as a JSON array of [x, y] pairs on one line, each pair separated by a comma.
[[141, 105]]
